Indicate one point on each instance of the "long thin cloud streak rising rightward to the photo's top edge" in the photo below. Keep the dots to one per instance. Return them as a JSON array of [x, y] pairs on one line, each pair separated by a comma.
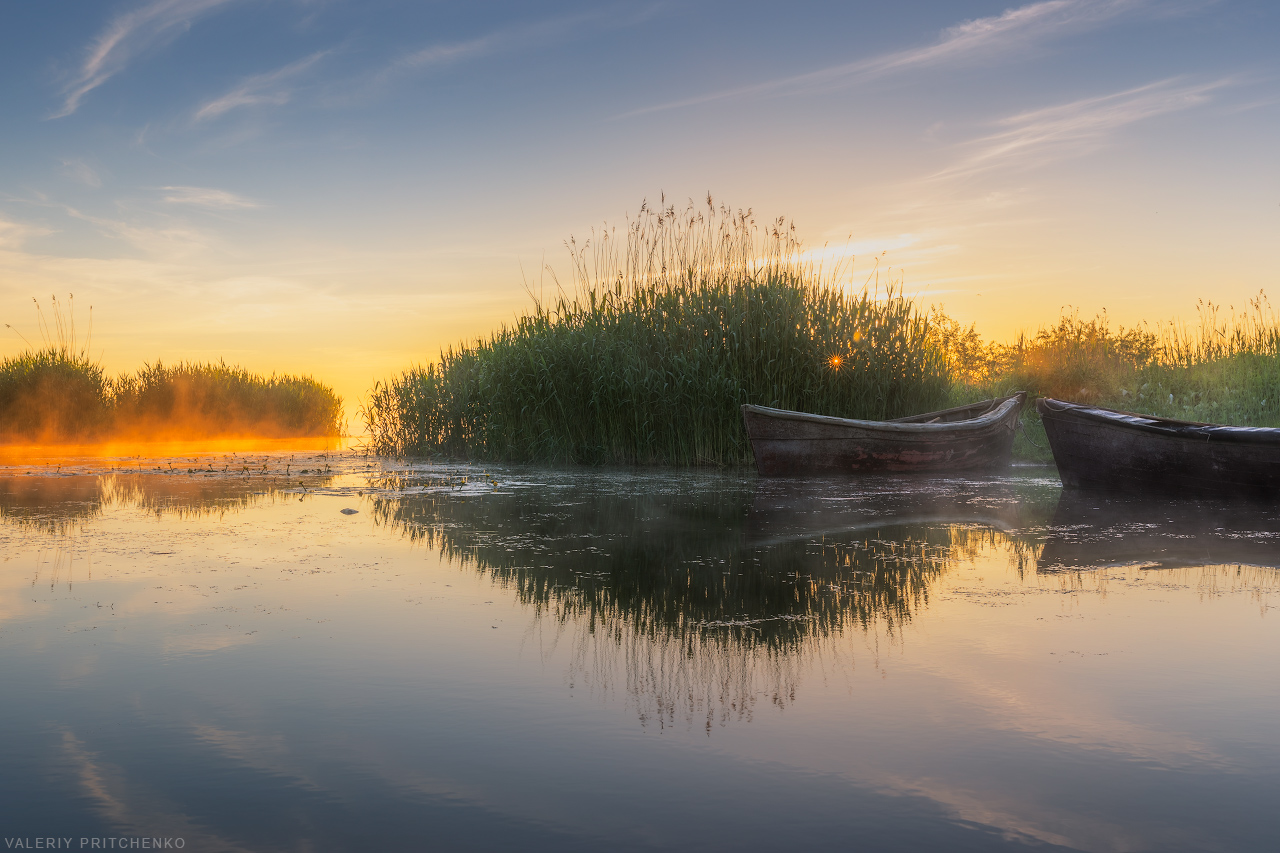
[[981, 39]]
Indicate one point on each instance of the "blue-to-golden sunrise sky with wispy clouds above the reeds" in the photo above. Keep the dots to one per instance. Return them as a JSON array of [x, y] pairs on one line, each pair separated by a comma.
[[342, 189]]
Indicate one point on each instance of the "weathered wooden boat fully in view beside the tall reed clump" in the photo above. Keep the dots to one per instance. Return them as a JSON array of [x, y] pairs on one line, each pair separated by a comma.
[[966, 439]]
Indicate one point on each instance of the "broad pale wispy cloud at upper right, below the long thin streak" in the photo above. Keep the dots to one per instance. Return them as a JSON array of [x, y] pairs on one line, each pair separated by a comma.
[[1071, 130]]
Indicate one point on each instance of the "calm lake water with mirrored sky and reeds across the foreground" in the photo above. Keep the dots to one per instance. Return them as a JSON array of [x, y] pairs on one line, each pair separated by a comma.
[[527, 659]]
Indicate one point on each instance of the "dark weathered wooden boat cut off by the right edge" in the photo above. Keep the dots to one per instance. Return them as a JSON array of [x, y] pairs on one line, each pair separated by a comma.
[[1103, 449]]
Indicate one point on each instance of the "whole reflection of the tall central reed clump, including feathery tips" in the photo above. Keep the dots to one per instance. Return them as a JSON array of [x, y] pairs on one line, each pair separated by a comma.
[[665, 597]]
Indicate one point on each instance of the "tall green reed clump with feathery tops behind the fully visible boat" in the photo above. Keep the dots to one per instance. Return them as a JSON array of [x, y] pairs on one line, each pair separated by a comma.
[[664, 334]]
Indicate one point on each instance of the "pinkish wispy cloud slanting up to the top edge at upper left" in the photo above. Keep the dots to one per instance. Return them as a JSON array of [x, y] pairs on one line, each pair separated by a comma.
[[127, 37]]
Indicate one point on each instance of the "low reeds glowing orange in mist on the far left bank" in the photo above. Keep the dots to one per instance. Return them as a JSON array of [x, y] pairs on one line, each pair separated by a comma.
[[60, 395]]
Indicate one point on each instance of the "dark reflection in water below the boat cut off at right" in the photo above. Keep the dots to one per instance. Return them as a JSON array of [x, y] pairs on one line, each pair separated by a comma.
[[1095, 532]]
